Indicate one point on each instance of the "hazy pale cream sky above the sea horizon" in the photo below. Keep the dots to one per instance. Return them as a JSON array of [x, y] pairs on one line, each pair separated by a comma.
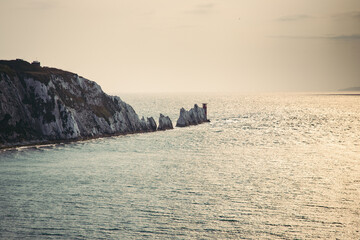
[[190, 45]]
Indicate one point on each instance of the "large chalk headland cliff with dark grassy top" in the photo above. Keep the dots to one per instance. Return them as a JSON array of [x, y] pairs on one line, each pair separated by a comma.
[[39, 104]]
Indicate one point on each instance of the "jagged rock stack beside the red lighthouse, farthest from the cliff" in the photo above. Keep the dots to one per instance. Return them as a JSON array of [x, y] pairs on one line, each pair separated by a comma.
[[194, 116]]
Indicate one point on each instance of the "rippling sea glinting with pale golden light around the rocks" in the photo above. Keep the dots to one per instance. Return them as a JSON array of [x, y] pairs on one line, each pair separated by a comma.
[[267, 166]]
